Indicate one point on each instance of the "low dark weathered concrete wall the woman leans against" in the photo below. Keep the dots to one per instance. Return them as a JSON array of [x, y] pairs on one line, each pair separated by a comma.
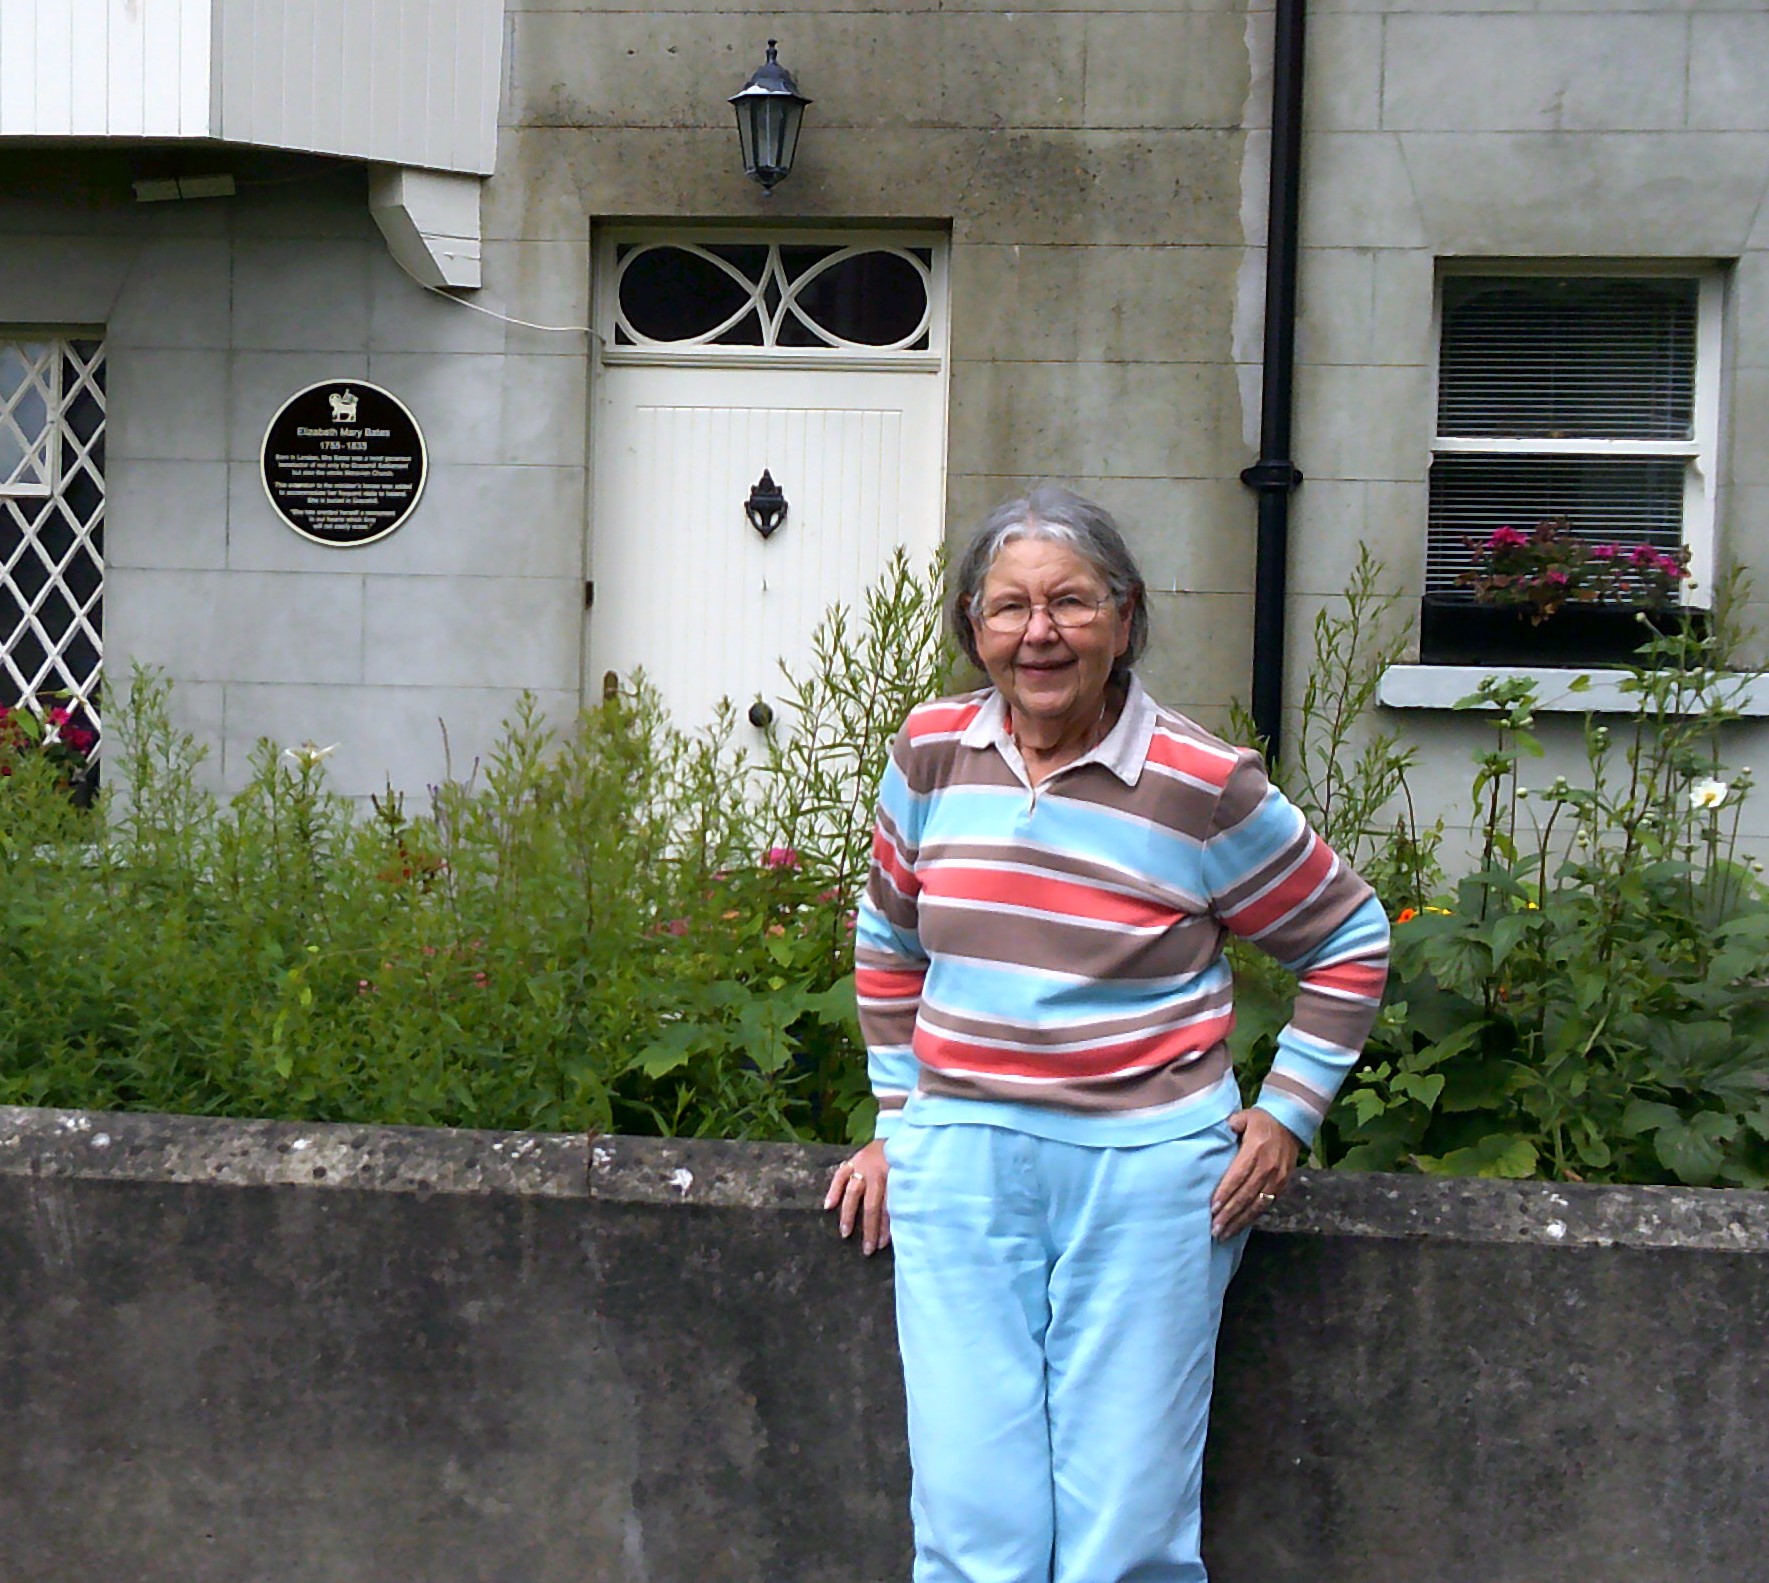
[[277, 1352]]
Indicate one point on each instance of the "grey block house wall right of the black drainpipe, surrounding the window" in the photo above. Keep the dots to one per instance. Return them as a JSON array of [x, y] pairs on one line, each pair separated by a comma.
[[1597, 130]]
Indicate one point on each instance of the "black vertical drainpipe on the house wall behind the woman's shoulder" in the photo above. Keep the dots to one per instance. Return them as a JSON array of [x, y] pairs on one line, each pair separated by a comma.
[[1275, 475]]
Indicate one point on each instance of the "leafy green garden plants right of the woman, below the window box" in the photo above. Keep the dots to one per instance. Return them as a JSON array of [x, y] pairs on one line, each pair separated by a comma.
[[1593, 1000]]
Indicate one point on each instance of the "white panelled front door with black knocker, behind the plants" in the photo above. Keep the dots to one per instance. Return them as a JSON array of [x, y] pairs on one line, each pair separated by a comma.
[[684, 585]]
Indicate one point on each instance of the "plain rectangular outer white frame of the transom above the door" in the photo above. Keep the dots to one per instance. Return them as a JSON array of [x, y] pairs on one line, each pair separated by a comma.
[[724, 356]]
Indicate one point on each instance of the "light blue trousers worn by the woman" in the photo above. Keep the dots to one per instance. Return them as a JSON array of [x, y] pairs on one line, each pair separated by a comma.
[[1057, 1310]]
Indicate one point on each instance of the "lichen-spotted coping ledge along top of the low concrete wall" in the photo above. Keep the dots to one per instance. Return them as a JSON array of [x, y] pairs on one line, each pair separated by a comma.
[[792, 1177]]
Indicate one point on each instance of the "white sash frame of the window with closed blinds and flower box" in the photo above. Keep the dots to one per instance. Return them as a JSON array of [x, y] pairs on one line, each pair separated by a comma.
[[1701, 454]]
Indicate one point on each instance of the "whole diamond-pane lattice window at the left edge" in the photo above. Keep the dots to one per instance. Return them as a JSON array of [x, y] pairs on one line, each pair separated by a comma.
[[52, 517]]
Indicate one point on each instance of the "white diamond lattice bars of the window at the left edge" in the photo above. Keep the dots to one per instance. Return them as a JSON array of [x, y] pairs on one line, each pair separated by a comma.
[[73, 461]]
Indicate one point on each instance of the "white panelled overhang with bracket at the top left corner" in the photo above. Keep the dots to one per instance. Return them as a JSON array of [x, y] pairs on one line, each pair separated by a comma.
[[408, 86]]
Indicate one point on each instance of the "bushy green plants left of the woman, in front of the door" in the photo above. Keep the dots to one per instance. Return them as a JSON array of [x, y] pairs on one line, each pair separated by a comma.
[[608, 926]]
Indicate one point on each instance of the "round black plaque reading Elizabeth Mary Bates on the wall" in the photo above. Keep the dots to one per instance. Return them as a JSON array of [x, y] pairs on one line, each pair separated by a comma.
[[344, 463]]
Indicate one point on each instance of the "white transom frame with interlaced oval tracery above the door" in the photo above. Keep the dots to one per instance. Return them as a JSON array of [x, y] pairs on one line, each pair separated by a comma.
[[705, 351]]
